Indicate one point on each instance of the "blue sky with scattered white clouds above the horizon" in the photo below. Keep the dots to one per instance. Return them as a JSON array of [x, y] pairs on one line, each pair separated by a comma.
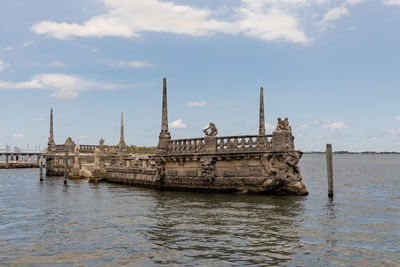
[[331, 67]]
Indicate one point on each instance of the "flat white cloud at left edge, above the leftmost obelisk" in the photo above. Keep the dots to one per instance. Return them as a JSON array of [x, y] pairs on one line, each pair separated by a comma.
[[61, 86]]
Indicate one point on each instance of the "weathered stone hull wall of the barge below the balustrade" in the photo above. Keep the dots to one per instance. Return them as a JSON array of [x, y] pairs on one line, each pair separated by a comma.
[[266, 173]]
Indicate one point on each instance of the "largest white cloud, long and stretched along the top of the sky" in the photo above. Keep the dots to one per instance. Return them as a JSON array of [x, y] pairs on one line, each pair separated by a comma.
[[263, 20]]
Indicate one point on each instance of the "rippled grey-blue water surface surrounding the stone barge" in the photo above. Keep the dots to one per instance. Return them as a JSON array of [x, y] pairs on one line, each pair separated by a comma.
[[87, 224]]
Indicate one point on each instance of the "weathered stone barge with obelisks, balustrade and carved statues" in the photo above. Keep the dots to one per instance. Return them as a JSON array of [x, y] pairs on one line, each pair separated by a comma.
[[264, 164]]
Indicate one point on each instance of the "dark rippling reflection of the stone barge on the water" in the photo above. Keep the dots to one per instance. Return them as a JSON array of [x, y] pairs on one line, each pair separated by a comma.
[[237, 229]]
